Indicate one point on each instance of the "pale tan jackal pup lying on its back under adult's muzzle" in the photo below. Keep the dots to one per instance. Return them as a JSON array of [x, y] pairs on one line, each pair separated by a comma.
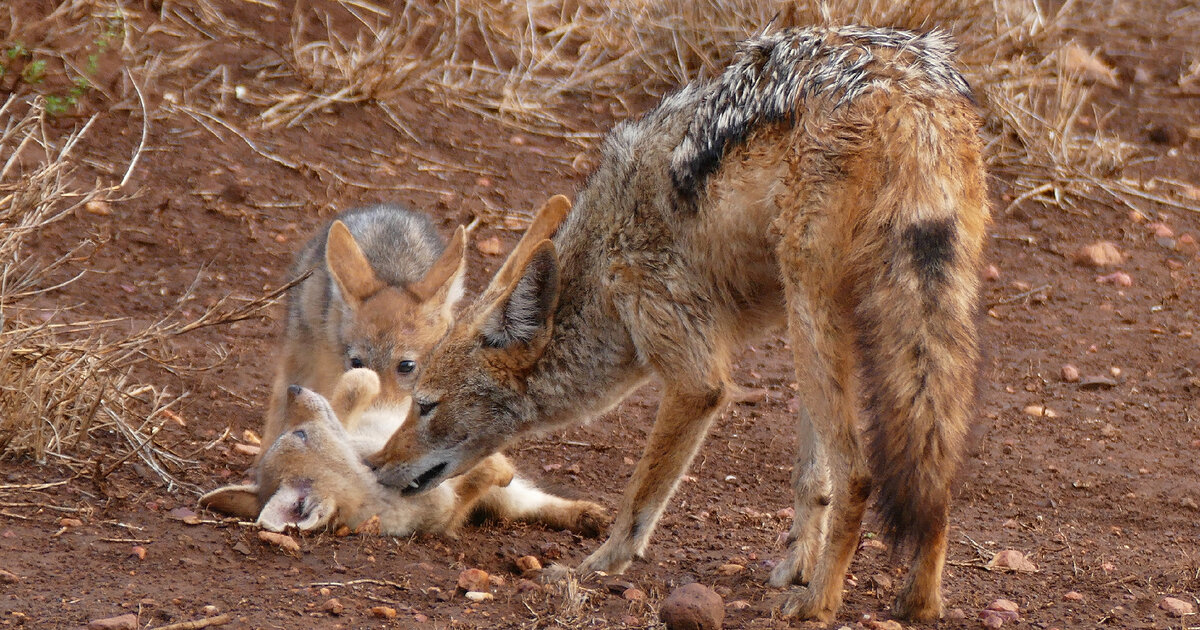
[[313, 477]]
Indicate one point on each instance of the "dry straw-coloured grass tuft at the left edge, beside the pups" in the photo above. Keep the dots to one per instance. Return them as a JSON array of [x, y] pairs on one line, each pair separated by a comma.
[[68, 391]]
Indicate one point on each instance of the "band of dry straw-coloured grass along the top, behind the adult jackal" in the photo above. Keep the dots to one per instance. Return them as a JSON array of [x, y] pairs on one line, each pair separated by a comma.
[[529, 65]]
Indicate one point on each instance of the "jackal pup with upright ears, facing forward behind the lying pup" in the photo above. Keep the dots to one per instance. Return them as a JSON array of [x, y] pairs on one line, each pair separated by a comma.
[[381, 293]]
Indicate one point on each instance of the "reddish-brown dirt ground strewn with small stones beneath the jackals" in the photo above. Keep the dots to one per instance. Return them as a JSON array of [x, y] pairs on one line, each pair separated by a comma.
[[1103, 497]]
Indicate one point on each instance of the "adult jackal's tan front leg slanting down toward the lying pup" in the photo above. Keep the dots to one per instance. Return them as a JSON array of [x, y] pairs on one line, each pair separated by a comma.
[[683, 421]]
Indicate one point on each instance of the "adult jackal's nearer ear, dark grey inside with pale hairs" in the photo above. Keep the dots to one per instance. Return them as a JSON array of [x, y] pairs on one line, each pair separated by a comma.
[[526, 310]]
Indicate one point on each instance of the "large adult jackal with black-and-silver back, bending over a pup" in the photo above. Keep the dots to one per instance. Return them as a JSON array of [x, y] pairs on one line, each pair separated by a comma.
[[830, 182]]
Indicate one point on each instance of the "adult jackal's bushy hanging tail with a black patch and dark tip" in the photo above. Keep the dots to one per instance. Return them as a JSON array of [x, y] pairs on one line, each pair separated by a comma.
[[916, 315]]
